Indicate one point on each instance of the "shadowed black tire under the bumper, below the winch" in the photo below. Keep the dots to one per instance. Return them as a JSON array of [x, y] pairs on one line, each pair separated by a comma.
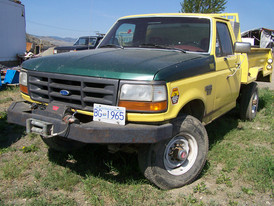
[[62, 144]]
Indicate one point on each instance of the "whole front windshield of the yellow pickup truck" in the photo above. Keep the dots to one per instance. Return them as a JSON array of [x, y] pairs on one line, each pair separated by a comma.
[[190, 34]]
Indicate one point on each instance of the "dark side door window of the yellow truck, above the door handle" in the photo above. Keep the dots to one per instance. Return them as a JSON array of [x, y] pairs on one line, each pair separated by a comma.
[[223, 41]]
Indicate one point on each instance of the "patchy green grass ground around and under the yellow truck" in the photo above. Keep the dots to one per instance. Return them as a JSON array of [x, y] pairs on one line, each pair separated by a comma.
[[239, 169]]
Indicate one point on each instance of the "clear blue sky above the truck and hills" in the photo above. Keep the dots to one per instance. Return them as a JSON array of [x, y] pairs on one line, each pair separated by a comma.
[[71, 18]]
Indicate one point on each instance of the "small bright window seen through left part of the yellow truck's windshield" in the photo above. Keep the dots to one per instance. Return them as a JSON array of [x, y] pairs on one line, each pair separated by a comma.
[[124, 34]]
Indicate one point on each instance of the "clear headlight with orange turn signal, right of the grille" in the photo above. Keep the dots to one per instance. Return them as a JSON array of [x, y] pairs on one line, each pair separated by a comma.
[[144, 98]]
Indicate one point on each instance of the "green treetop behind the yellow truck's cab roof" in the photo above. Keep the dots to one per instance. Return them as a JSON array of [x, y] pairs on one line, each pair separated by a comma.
[[203, 6]]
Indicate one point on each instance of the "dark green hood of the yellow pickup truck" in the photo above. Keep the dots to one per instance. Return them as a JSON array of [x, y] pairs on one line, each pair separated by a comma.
[[127, 64]]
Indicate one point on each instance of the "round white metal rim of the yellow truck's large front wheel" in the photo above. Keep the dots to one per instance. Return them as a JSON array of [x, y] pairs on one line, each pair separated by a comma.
[[180, 154]]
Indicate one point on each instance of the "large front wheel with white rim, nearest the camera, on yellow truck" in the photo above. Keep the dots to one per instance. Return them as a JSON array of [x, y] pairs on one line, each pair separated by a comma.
[[177, 161]]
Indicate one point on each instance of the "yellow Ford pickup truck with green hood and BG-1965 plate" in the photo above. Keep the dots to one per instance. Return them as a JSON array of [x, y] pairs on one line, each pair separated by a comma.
[[150, 87]]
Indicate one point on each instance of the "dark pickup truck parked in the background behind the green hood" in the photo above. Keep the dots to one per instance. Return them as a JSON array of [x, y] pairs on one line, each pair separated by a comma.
[[82, 43]]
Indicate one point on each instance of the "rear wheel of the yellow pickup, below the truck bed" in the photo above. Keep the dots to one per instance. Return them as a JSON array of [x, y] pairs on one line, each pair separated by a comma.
[[249, 101]]
